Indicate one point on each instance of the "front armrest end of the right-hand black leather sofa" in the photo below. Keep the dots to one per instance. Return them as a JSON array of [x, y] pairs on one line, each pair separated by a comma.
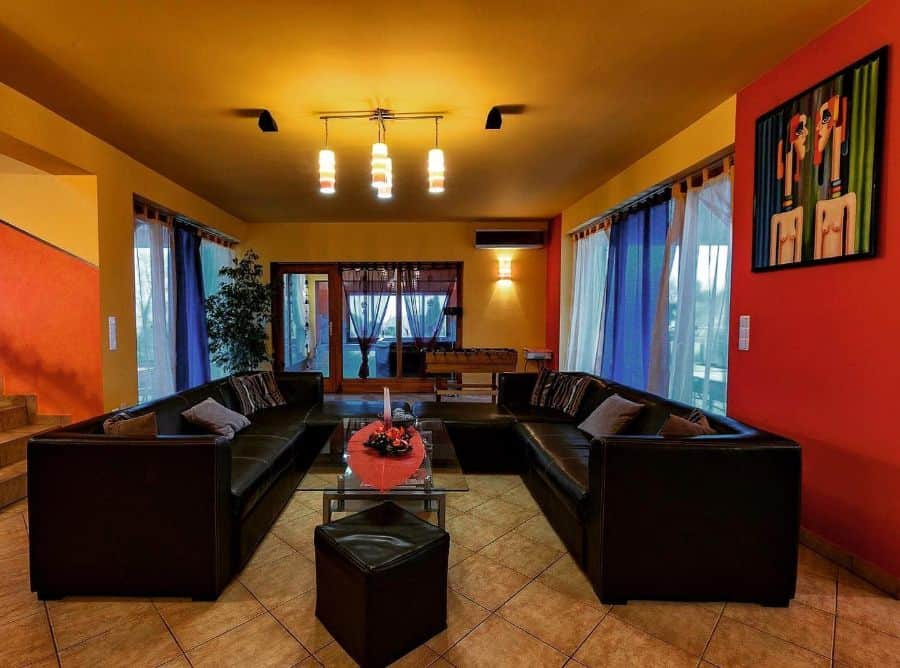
[[714, 518]]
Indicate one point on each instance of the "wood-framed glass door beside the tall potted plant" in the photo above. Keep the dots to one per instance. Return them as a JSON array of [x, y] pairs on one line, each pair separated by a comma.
[[306, 314]]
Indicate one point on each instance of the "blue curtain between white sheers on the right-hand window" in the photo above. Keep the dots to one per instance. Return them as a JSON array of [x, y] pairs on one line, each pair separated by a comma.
[[637, 247]]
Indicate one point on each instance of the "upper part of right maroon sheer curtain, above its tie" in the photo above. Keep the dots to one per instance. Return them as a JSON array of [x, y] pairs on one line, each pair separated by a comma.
[[426, 293]]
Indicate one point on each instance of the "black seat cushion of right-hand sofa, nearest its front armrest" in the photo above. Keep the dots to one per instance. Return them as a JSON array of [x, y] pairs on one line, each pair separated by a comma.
[[560, 452]]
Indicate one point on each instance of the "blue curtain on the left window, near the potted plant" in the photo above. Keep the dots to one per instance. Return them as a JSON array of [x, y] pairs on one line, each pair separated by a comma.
[[191, 341]]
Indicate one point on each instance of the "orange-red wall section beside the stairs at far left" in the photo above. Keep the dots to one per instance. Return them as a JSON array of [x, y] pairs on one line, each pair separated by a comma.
[[49, 326]]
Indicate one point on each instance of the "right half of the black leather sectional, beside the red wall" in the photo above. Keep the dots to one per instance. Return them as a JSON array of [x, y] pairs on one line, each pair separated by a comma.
[[703, 518]]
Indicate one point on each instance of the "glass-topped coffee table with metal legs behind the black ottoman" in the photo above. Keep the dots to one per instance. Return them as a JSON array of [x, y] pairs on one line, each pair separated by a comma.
[[437, 474]]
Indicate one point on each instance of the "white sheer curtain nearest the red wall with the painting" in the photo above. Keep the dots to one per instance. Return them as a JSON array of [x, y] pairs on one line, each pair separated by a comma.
[[698, 286]]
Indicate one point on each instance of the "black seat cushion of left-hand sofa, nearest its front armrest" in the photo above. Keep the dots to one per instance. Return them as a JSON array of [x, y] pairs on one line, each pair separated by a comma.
[[256, 462]]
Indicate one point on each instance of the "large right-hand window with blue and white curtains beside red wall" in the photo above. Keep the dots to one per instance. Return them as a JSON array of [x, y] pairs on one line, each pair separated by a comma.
[[674, 340]]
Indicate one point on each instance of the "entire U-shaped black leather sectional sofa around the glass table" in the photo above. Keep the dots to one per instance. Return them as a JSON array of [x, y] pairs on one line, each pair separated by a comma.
[[703, 518]]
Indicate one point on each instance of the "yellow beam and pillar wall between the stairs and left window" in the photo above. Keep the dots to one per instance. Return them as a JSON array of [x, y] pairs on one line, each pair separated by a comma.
[[28, 129]]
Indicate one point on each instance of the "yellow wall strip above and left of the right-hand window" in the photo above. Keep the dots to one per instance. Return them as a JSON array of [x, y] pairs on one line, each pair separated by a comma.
[[709, 135]]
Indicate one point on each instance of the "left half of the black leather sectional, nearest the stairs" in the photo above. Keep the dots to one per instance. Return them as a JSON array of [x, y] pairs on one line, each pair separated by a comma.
[[177, 514]]
